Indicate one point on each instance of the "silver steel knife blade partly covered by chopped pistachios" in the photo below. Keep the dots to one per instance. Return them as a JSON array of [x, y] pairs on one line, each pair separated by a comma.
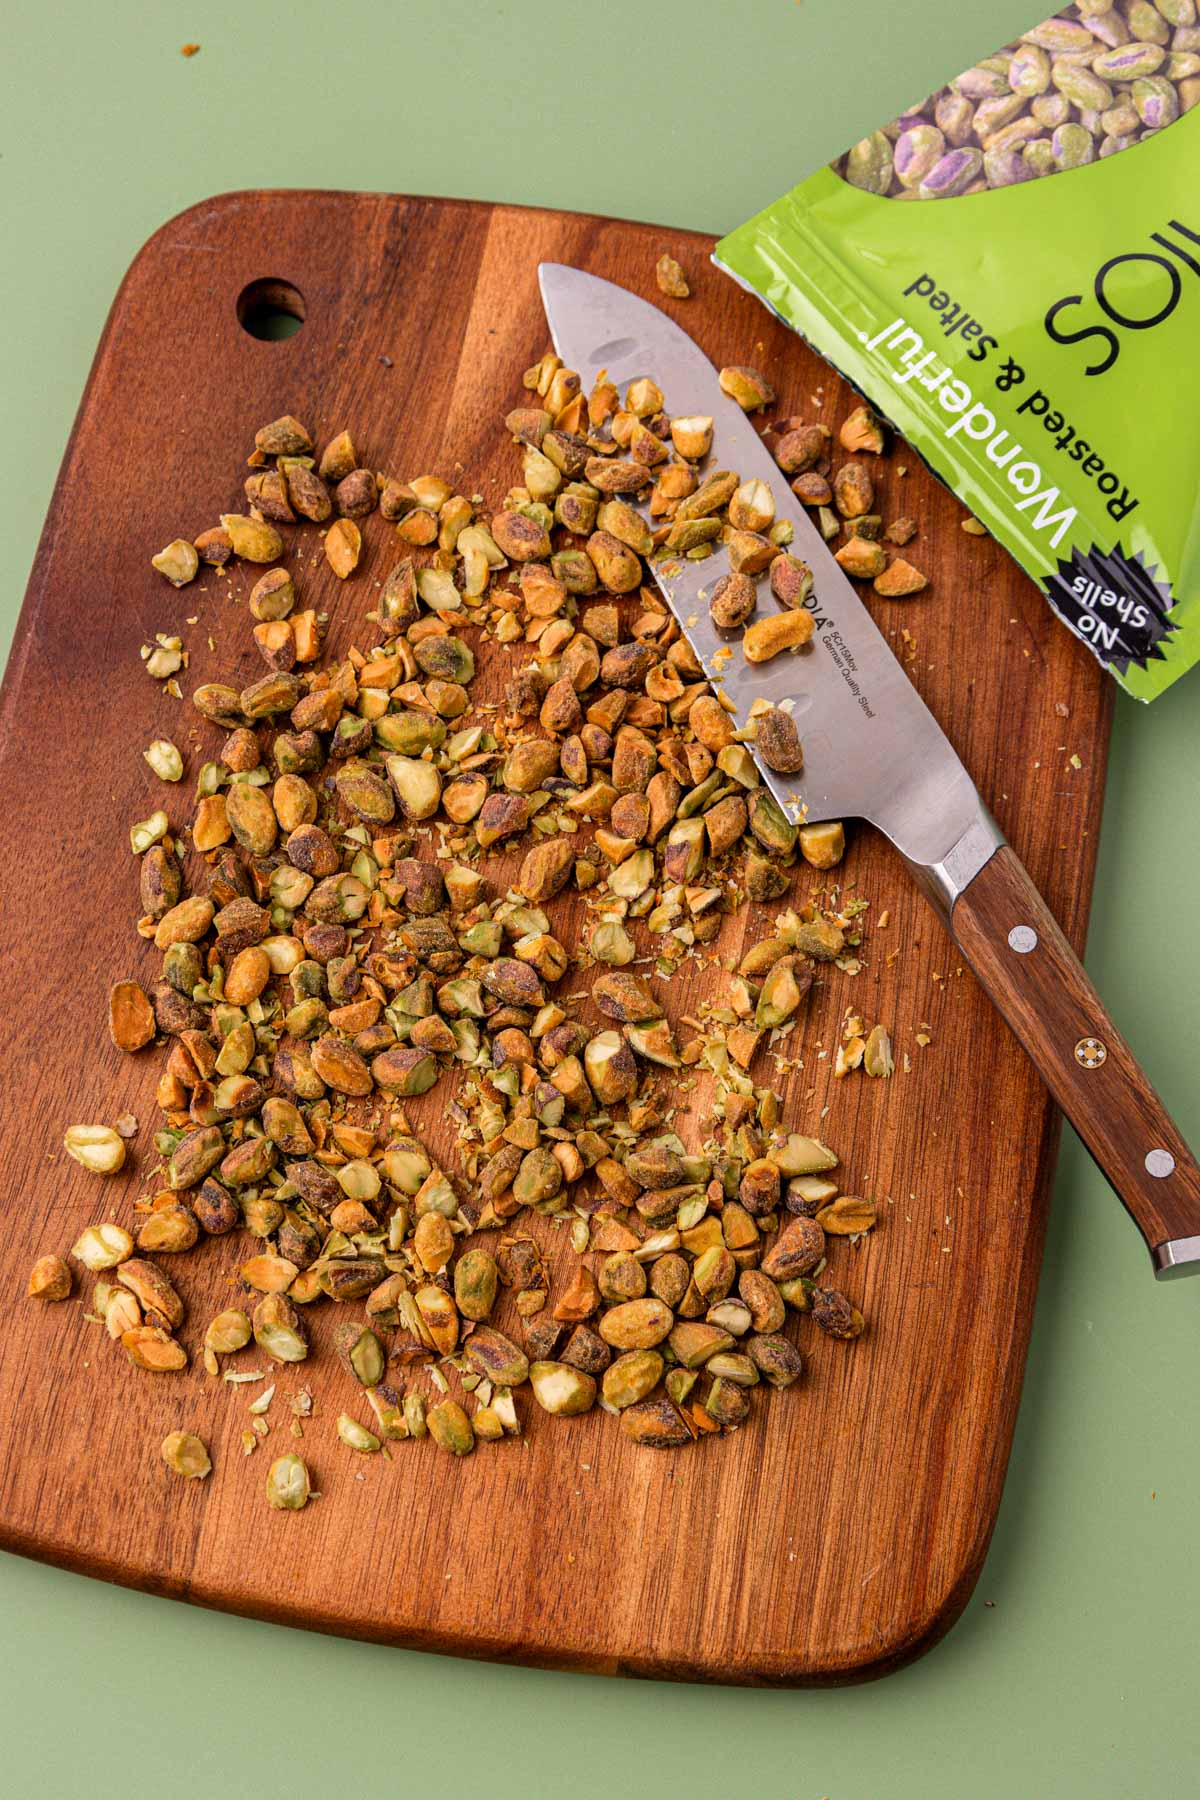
[[872, 746]]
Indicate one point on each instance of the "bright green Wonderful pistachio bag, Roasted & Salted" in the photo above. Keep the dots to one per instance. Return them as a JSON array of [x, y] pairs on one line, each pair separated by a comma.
[[1035, 337]]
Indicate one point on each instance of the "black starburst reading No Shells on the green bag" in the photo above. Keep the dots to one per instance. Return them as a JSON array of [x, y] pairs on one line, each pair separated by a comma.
[[1115, 604]]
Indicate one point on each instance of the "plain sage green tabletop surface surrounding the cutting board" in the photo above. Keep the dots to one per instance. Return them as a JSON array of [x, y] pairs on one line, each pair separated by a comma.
[[1075, 1668]]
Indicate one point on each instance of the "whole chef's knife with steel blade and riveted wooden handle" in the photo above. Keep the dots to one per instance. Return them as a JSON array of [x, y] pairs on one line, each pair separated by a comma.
[[875, 751]]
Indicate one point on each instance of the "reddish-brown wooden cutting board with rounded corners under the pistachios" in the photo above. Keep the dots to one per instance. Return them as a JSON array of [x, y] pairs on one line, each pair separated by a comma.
[[843, 1529]]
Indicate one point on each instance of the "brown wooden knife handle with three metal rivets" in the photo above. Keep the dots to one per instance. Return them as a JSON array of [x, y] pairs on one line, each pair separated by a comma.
[[1014, 944]]
